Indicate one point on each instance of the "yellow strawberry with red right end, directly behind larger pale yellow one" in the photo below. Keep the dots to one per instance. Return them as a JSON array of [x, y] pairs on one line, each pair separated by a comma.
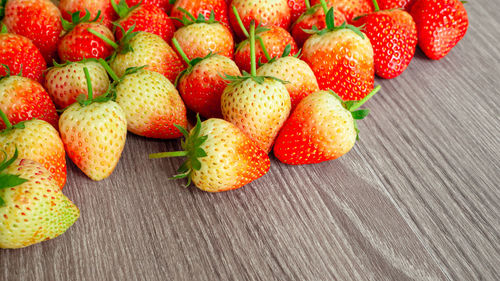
[[142, 48]]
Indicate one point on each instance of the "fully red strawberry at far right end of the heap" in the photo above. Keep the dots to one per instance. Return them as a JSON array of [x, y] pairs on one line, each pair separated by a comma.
[[440, 25]]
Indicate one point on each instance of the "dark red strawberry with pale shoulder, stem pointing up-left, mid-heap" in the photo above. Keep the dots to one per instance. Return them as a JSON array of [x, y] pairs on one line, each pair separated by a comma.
[[201, 84]]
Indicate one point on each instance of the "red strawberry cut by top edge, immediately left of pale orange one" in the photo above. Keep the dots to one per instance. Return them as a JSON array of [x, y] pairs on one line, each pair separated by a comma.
[[204, 7]]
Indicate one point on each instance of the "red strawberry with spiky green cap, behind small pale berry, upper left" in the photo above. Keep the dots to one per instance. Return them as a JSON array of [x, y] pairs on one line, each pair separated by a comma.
[[80, 43]]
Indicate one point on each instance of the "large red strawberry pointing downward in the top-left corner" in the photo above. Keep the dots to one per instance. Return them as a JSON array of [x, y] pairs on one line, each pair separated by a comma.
[[38, 20]]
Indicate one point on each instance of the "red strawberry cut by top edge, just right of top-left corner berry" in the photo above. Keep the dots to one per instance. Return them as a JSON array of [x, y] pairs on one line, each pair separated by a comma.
[[69, 7]]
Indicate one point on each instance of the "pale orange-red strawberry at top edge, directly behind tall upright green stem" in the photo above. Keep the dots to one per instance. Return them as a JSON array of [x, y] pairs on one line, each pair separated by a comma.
[[264, 13]]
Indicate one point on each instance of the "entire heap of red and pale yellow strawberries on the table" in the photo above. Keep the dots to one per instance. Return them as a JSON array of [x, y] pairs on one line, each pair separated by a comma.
[[286, 77]]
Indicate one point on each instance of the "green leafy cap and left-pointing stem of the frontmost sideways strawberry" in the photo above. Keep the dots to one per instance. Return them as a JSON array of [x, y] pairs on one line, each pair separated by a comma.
[[191, 146]]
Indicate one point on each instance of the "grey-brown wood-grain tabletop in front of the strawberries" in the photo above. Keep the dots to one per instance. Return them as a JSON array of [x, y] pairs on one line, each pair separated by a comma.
[[418, 198]]
